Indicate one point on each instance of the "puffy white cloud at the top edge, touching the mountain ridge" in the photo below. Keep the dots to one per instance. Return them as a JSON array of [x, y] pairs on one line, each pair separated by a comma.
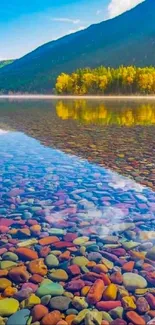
[[117, 7]]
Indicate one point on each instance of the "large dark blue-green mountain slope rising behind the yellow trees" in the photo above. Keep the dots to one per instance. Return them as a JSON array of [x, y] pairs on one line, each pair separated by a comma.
[[127, 39]]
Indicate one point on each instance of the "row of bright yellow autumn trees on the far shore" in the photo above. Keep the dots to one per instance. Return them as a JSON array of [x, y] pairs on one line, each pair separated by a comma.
[[123, 80]]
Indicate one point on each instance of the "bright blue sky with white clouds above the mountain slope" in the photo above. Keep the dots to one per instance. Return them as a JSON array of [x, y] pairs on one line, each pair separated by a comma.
[[27, 24]]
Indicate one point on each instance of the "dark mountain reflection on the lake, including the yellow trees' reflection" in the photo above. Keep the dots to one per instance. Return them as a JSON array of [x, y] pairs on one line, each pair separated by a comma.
[[128, 149]]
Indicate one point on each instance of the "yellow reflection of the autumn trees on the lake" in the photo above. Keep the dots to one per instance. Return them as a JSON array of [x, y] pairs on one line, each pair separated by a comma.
[[88, 112]]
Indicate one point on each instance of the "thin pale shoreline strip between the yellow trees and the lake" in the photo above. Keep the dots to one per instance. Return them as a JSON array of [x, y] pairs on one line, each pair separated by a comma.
[[95, 97]]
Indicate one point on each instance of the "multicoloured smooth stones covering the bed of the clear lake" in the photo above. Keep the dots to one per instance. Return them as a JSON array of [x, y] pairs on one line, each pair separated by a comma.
[[76, 239]]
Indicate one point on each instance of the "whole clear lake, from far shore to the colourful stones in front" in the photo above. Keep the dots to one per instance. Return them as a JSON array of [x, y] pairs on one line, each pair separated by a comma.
[[77, 202]]
